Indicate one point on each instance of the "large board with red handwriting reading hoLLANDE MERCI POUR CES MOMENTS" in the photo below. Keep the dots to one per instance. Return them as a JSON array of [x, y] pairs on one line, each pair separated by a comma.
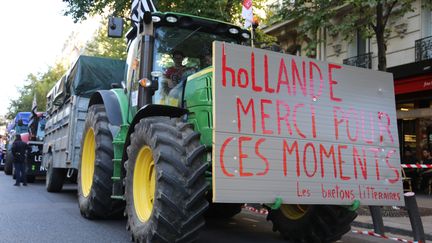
[[306, 131]]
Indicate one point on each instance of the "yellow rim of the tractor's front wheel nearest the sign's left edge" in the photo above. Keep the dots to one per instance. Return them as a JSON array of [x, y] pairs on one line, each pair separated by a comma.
[[144, 183]]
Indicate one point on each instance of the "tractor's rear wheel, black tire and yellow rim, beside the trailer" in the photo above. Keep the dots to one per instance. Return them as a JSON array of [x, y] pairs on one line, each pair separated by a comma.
[[96, 168]]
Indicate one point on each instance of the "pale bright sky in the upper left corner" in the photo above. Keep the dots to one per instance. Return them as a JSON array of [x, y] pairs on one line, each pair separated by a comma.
[[32, 36]]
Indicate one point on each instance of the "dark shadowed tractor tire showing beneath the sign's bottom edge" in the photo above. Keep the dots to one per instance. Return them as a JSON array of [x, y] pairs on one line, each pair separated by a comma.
[[312, 223]]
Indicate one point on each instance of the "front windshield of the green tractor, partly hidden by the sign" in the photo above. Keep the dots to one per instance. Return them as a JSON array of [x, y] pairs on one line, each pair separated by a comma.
[[178, 54]]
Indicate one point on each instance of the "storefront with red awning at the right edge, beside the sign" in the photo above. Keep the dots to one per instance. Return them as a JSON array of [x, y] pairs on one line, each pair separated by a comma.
[[413, 89]]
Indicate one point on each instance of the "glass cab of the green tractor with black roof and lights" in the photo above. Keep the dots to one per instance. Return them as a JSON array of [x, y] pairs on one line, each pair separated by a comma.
[[170, 48]]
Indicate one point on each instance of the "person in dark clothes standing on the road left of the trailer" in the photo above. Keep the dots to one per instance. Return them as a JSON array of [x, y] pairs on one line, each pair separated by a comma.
[[19, 150]]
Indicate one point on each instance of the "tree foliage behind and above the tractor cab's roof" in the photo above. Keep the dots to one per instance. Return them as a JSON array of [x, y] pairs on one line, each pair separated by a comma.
[[224, 10]]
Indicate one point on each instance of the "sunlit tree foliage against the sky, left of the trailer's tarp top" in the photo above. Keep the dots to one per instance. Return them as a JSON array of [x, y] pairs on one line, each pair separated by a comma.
[[38, 84]]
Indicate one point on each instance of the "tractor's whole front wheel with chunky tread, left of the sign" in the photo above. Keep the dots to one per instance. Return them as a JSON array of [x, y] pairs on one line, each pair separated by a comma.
[[167, 154]]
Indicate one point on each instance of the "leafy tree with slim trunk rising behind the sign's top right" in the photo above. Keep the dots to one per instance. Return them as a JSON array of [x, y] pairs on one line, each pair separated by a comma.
[[370, 19]]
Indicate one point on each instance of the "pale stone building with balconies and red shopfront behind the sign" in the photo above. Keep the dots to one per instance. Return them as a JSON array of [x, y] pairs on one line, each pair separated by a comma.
[[409, 58]]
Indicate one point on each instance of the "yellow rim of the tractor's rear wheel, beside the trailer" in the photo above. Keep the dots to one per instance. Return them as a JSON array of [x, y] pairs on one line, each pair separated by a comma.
[[88, 162]]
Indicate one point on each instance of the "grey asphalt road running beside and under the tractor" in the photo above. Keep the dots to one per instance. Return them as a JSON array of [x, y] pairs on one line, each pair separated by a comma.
[[30, 214]]
